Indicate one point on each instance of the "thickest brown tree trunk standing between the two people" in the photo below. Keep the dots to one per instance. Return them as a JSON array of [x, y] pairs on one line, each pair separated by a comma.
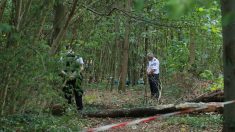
[[125, 51]]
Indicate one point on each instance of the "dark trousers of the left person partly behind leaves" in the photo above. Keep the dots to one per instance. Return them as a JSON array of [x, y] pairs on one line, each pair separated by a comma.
[[71, 88]]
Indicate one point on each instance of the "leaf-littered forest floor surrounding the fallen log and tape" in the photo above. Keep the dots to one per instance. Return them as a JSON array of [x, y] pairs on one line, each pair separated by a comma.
[[96, 97]]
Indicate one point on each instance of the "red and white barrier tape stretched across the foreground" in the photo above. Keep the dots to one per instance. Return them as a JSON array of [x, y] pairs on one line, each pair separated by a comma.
[[148, 119]]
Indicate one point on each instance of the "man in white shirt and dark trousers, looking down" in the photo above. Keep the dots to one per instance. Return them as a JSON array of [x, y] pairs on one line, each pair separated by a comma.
[[153, 75]]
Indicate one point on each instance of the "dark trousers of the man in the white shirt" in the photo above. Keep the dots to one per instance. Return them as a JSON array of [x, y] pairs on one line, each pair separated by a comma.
[[154, 84]]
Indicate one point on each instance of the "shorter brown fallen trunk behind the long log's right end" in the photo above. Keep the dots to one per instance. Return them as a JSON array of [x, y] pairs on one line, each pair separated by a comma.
[[215, 96]]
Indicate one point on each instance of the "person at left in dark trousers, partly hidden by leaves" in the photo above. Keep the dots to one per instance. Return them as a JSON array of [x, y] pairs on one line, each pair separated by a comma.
[[73, 79]]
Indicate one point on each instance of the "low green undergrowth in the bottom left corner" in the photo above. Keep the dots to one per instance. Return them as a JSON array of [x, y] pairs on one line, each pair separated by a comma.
[[34, 122]]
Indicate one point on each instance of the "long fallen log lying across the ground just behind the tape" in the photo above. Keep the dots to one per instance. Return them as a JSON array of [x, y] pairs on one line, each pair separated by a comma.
[[150, 111]]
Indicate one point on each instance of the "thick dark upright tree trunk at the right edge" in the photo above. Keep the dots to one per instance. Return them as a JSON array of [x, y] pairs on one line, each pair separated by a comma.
[[228, 20]]
